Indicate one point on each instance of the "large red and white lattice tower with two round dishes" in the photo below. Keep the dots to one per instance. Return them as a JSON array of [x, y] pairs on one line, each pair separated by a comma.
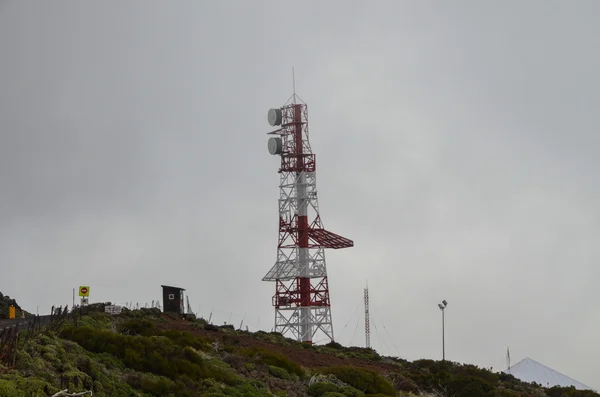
[[301, 300]]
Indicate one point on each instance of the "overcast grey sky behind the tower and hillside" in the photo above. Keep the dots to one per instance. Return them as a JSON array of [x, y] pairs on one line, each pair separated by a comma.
[[457, 145]]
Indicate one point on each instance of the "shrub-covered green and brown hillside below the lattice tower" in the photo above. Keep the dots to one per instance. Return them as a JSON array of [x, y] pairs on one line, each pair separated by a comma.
[[148, 353]]
